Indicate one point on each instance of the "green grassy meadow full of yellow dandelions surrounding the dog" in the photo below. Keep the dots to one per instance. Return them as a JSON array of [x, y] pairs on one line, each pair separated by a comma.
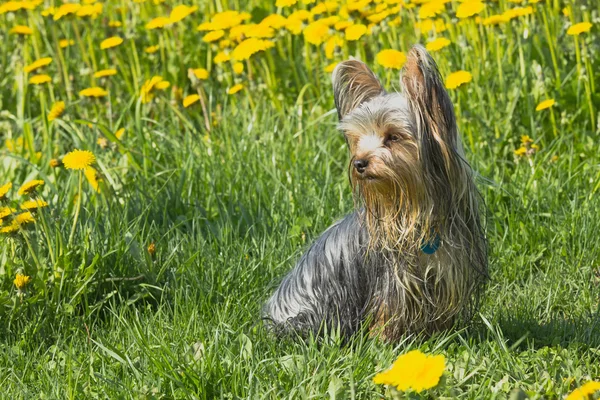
[[164, 164]]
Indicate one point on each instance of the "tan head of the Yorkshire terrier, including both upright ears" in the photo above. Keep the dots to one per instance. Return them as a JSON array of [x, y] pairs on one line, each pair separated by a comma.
[[404, 146]]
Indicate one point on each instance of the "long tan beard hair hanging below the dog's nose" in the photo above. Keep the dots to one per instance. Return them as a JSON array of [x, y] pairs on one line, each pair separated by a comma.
[[398, 212]]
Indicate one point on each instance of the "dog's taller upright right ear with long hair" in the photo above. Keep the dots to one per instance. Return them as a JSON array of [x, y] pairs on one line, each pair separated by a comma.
[[424, 88]]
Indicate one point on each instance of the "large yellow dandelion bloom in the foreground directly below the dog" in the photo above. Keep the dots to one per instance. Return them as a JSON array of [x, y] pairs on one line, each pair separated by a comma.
[[413, 371]]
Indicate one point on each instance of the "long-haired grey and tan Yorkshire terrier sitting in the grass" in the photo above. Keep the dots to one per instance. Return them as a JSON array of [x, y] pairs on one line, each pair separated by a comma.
[[412, 258]]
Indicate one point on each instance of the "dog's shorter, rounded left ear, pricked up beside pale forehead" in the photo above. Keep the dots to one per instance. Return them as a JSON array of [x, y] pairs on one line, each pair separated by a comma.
[[353, 84]]
